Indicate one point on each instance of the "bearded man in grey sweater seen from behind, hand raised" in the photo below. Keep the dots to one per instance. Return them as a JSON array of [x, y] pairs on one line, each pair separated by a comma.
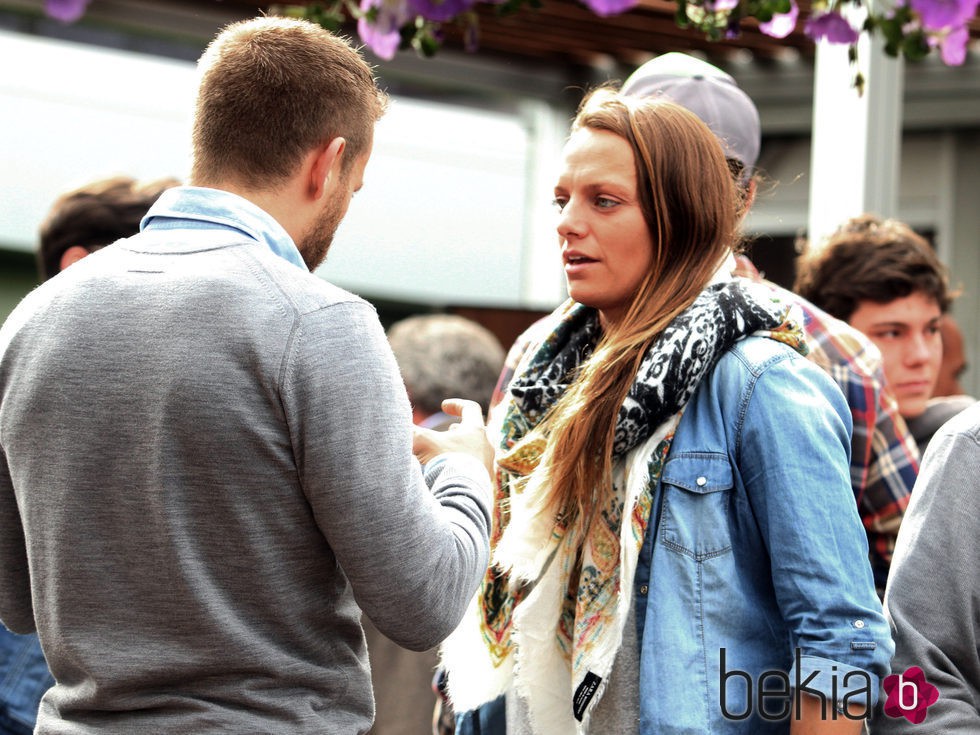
[[206, 452]]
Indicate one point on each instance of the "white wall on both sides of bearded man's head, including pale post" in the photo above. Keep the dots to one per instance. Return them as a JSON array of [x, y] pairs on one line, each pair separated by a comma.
[[445, 216]]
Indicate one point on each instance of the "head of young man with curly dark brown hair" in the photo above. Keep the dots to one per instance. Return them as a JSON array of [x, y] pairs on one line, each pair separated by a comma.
[[887, 282]]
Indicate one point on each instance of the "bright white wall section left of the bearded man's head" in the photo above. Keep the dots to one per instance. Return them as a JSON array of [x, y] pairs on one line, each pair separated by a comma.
[[70, 114]]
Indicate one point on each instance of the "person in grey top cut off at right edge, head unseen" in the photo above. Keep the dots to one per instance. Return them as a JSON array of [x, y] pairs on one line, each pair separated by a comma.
[[933, 596]]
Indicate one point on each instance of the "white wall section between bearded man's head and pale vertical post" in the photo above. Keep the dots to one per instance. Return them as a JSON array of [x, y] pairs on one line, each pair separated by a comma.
[[441, 216]]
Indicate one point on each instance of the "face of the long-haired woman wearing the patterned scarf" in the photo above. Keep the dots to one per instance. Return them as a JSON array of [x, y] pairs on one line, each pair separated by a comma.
[[606, 246]]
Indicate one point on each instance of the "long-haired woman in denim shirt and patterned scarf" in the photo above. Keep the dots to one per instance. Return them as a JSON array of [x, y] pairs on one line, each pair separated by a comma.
[[676, 547]]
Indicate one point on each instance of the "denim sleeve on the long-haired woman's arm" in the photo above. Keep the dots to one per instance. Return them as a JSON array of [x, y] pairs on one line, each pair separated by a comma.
[[792, 455]]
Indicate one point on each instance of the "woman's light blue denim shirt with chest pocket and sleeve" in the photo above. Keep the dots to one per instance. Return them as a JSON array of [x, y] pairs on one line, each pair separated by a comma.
[[754, 572]]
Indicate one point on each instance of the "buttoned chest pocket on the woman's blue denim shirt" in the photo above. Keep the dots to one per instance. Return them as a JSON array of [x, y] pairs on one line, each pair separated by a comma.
[[696, 495]]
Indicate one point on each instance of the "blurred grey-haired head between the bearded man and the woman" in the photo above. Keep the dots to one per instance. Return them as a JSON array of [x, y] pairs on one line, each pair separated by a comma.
[[445, 356]]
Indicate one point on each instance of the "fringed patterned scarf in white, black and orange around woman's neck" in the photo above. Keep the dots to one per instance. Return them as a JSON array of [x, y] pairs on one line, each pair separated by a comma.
[[553, 601]]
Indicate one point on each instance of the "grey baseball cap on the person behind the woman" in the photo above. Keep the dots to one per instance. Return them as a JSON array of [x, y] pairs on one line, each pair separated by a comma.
[[709, 93]]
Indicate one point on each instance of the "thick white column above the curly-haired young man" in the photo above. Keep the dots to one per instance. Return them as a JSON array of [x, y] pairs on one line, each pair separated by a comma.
[[856, 139]]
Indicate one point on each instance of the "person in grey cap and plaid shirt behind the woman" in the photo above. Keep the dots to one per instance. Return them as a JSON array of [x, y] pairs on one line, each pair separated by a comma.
[[884, 457]]
